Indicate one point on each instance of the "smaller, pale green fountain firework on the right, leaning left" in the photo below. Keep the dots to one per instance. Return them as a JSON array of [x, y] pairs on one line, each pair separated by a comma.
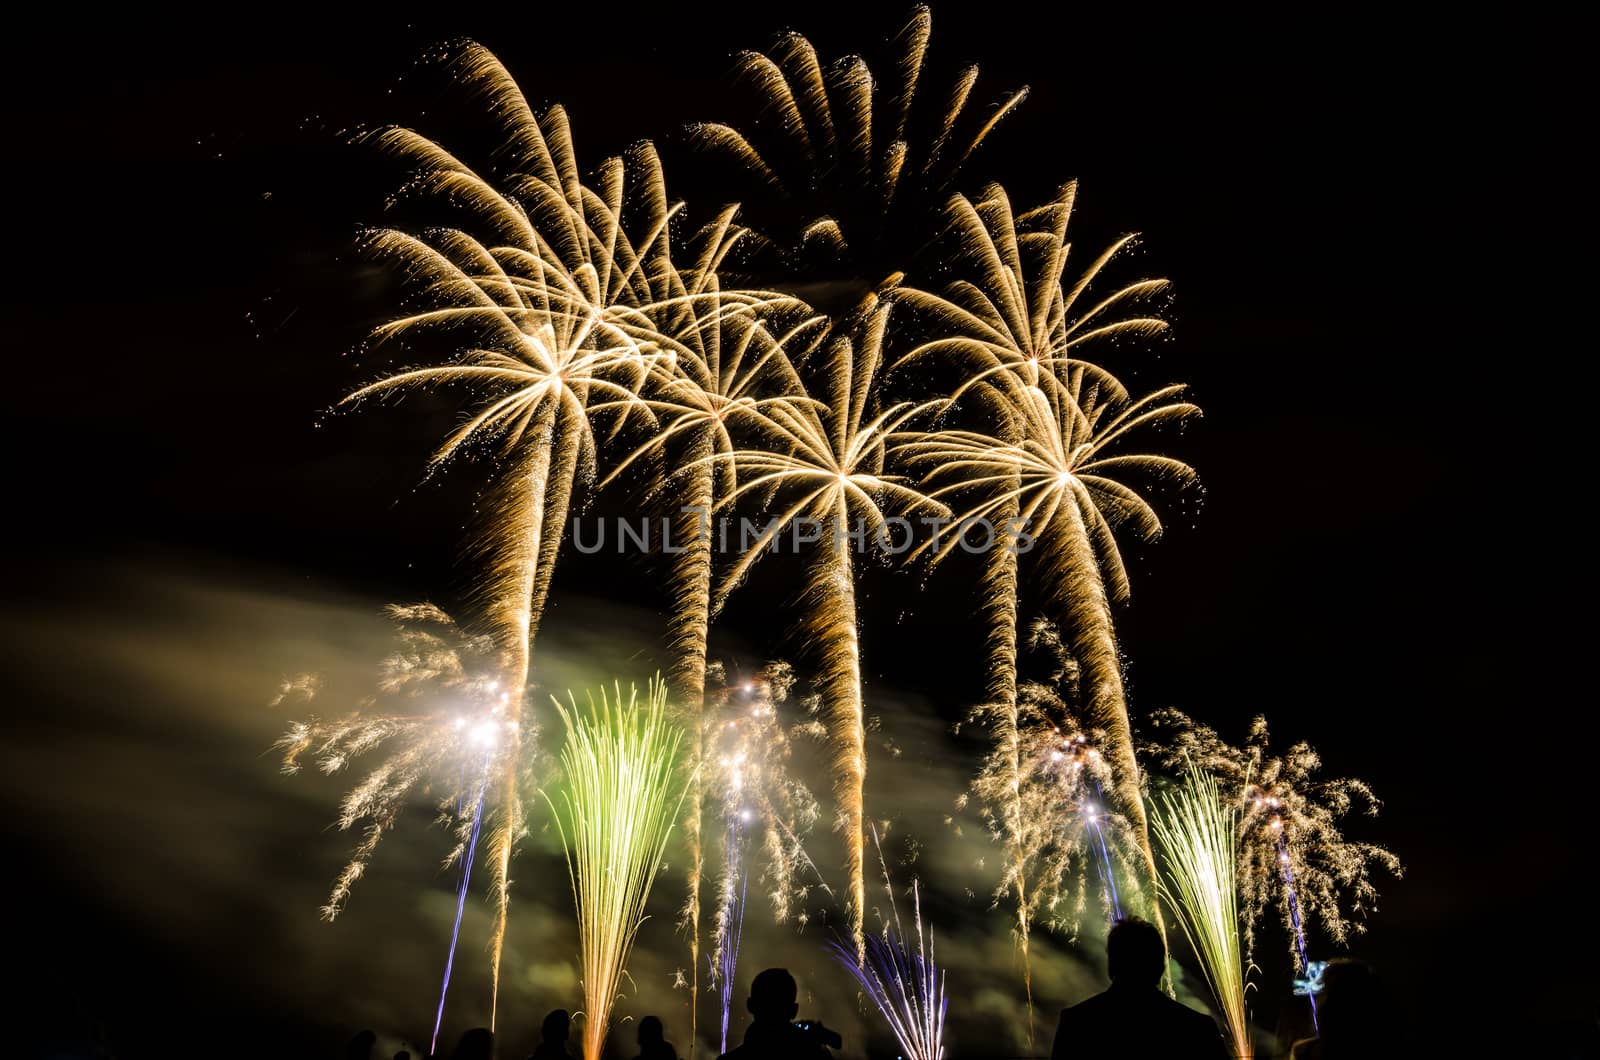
[[1199, 851]]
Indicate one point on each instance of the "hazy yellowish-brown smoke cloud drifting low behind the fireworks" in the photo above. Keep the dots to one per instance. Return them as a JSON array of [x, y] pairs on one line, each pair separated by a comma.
[[142, 771]]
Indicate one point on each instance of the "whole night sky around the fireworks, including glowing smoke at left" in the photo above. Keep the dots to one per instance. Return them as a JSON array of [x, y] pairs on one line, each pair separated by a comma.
[[1338, 201]]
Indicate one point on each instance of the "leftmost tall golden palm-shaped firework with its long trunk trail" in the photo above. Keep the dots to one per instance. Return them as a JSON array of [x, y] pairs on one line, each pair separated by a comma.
[[542, 313]]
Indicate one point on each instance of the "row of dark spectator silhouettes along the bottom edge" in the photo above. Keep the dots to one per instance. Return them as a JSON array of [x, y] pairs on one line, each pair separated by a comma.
[[1130, 1021]]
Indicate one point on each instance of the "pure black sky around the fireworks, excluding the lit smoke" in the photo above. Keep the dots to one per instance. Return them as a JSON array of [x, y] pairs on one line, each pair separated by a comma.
[[1340, 199]]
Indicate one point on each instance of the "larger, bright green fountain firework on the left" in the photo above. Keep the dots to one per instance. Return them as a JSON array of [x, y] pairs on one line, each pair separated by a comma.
[[615, 813]]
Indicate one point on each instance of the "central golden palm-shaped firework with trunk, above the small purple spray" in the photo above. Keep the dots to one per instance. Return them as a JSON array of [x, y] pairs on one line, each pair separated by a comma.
[[825, 460]]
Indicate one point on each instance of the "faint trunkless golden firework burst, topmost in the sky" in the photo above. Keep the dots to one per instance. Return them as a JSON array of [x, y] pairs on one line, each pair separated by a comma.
[[854, 159]]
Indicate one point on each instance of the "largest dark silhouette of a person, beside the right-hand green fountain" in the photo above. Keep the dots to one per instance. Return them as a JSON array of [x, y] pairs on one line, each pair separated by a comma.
[[1135, 1019]]
